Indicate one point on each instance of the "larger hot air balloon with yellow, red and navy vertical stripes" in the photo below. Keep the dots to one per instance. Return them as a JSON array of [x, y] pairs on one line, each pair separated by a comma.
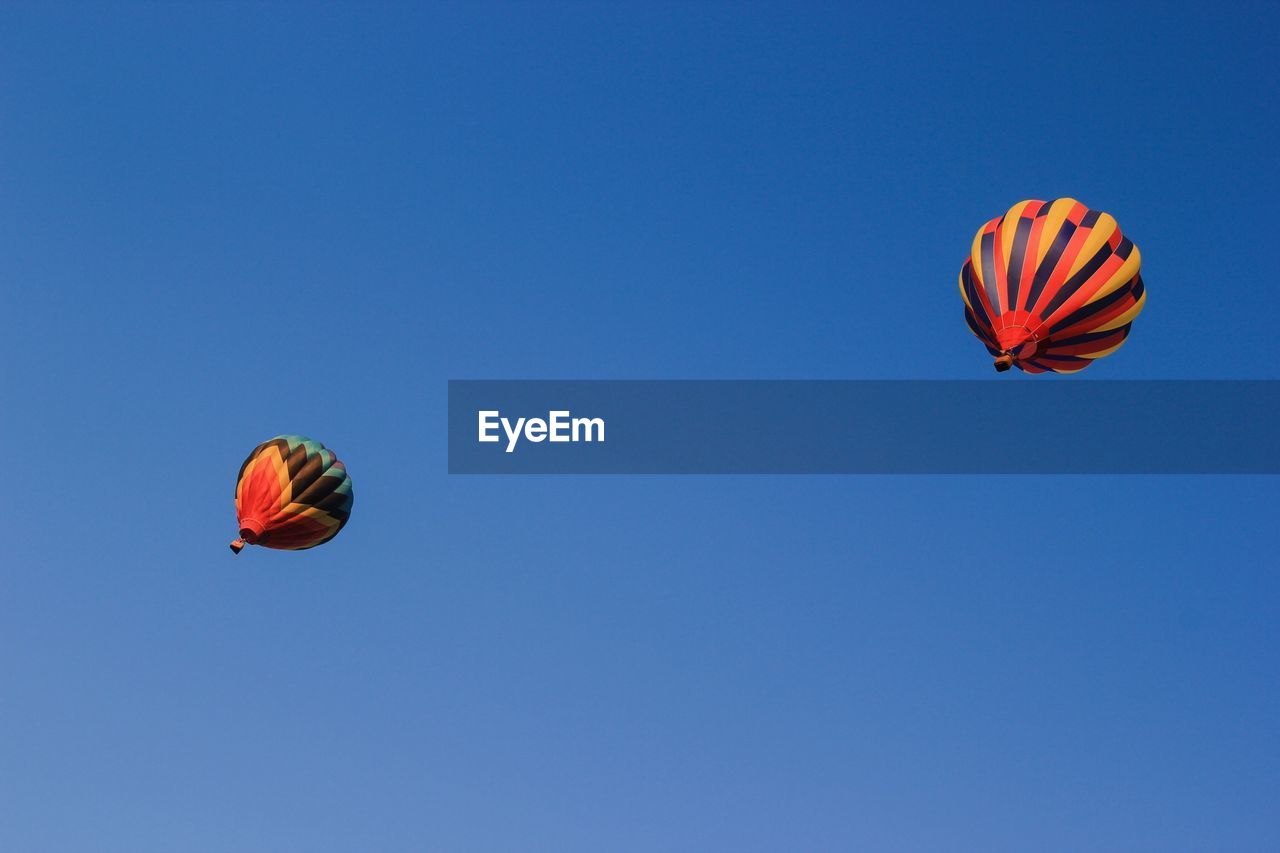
[[1052, 286]]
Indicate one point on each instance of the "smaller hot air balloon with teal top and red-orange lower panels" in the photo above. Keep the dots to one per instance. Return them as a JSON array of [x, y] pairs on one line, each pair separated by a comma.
[[292, 494]]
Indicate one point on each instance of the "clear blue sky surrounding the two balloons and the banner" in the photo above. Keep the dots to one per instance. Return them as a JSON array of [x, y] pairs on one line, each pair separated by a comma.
[[225, 222]]
